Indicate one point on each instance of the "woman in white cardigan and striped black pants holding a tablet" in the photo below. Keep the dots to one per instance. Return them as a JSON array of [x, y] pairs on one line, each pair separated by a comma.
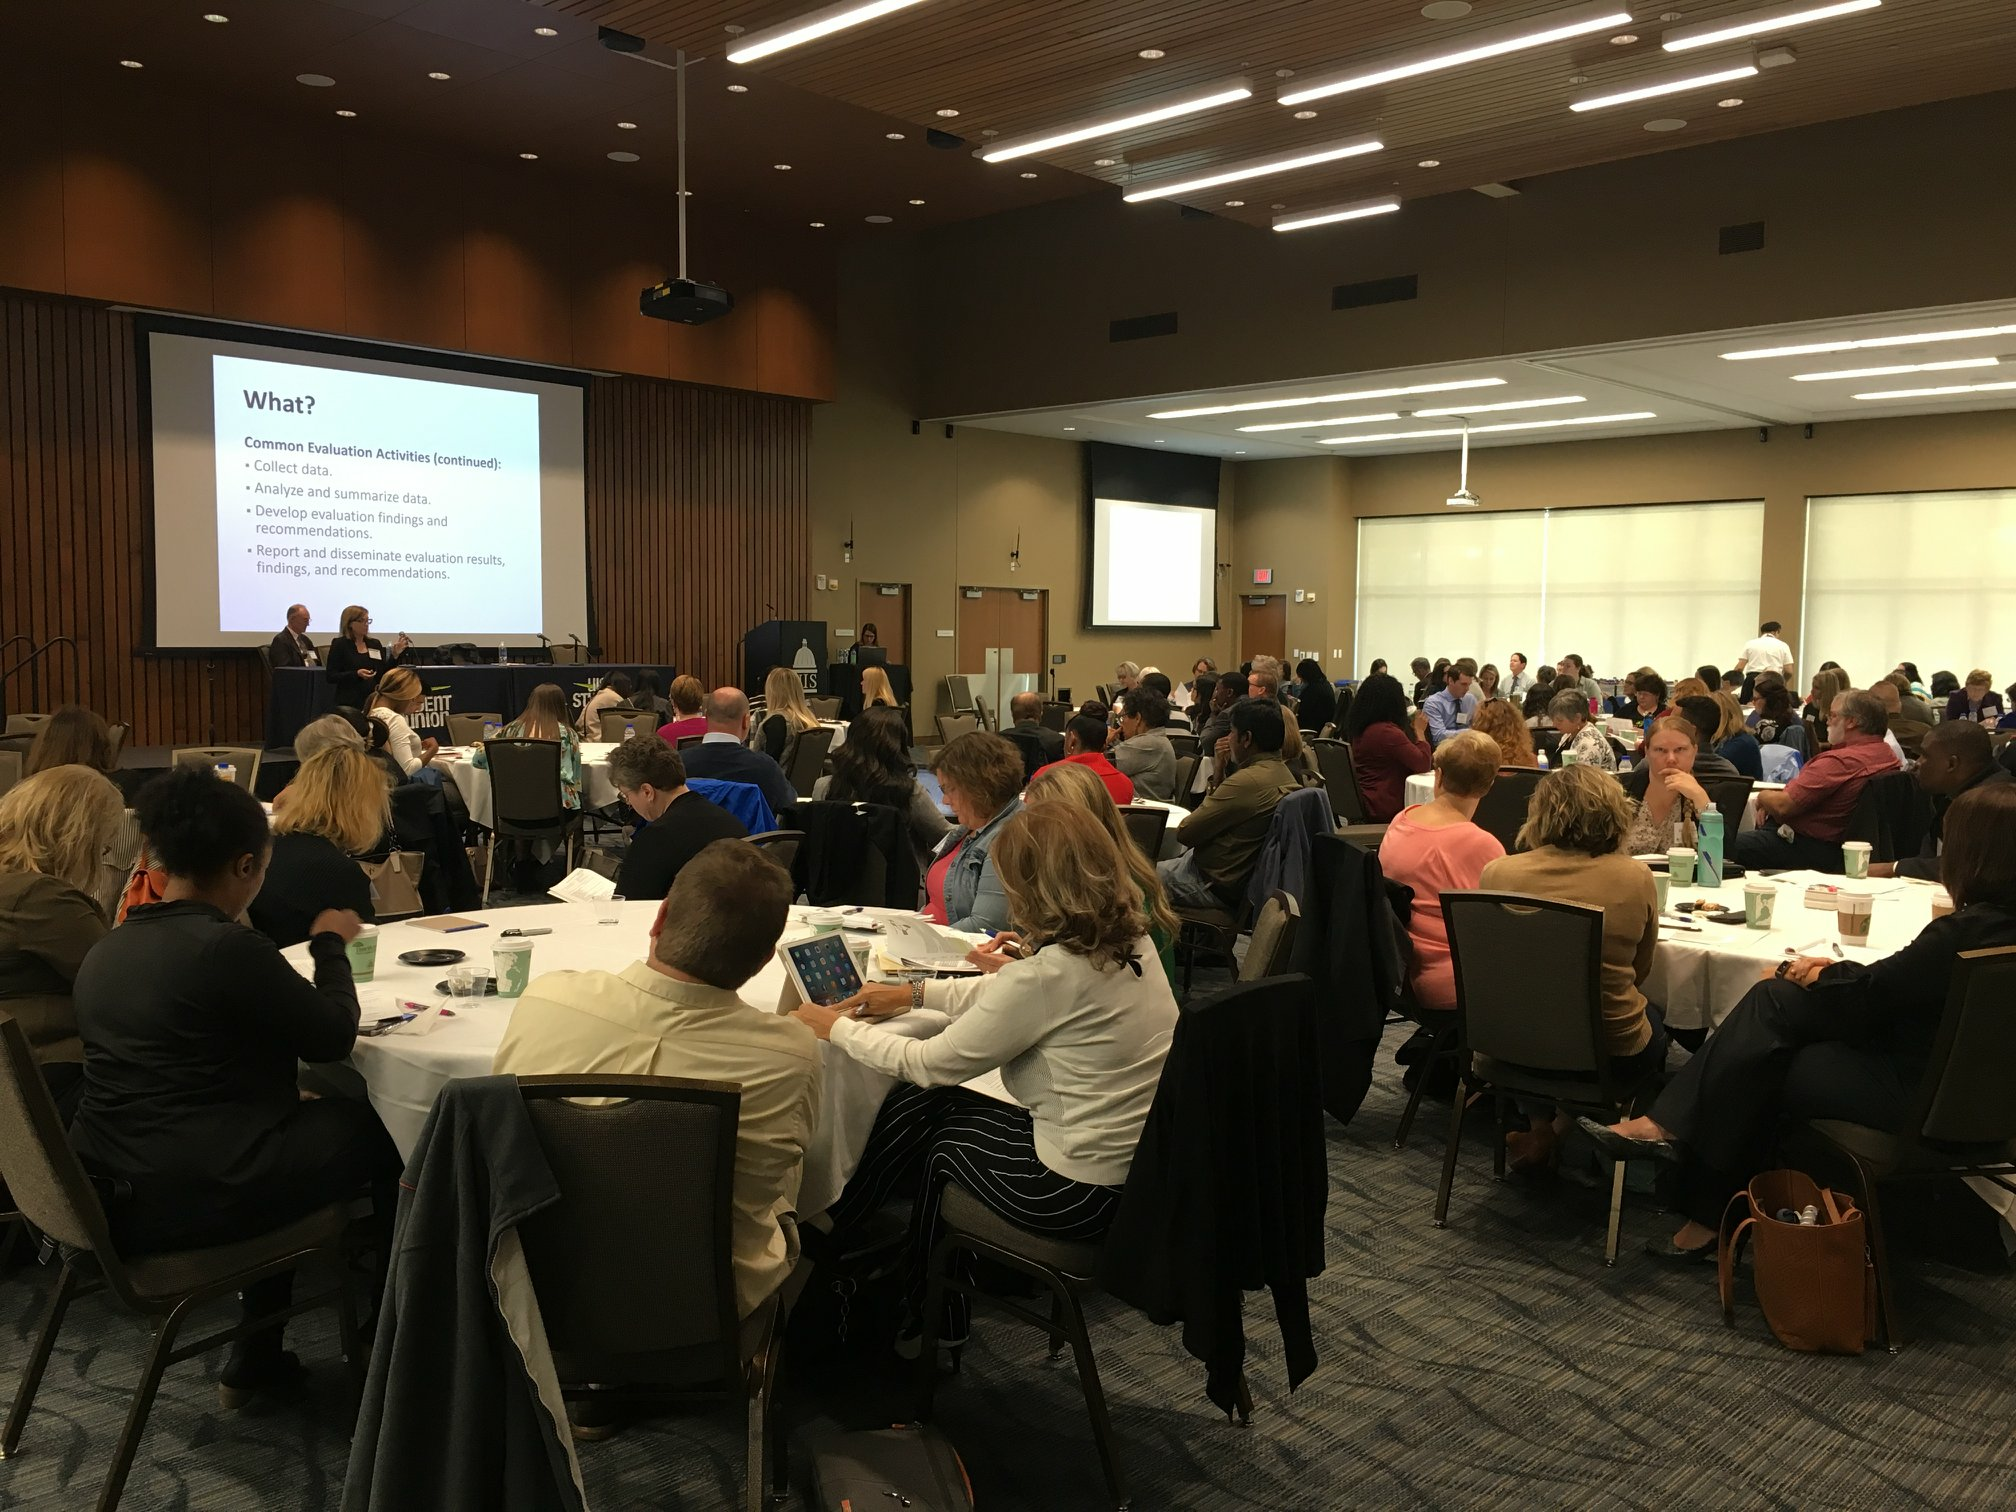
[[1078, 1019]]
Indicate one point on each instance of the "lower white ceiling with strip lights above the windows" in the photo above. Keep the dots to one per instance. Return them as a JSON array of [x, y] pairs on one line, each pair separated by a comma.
[[1678, 386]]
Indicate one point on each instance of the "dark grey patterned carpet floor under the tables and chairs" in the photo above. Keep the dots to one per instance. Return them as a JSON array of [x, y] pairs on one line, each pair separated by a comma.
[[1491, 1364]]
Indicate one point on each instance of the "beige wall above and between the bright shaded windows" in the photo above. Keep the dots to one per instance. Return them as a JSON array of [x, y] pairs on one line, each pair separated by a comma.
[[1293, 501]]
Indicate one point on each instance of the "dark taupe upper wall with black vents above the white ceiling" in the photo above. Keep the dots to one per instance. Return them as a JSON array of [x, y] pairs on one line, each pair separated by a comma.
[[1602, 255]]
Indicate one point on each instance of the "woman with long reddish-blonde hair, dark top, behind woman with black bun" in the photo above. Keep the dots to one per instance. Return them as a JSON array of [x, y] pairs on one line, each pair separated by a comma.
[[336, 811]]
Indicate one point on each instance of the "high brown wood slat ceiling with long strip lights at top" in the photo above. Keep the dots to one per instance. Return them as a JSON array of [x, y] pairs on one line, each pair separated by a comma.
[[1029, 66]]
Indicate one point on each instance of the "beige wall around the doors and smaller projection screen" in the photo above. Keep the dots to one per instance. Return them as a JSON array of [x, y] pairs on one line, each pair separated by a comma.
[[944, 513]]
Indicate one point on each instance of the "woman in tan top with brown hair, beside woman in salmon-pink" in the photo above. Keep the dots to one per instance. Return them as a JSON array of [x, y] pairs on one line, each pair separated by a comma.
[[1573, 852]]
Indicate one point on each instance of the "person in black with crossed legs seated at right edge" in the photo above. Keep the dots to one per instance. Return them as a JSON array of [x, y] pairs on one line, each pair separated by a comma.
[[1823, 1039]]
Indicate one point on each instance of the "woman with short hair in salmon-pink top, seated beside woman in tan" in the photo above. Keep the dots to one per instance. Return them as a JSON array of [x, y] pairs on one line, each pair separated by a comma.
[[1434, 848]]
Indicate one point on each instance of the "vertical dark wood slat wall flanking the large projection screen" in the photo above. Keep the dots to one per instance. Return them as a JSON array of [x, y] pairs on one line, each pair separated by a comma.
[[697, 521]]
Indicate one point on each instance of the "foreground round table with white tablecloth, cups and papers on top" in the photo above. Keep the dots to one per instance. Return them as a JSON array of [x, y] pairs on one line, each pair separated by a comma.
[[406, 1072]]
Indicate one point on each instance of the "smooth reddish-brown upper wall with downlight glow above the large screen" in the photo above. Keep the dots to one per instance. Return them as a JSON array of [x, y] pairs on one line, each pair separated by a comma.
[[130, 193]]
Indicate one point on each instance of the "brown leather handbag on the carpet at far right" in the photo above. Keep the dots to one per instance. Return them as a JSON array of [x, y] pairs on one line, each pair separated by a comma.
[[1813, 1281]]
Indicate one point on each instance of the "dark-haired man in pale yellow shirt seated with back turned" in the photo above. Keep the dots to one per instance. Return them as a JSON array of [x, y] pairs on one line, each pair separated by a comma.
[[676, 1015]]
